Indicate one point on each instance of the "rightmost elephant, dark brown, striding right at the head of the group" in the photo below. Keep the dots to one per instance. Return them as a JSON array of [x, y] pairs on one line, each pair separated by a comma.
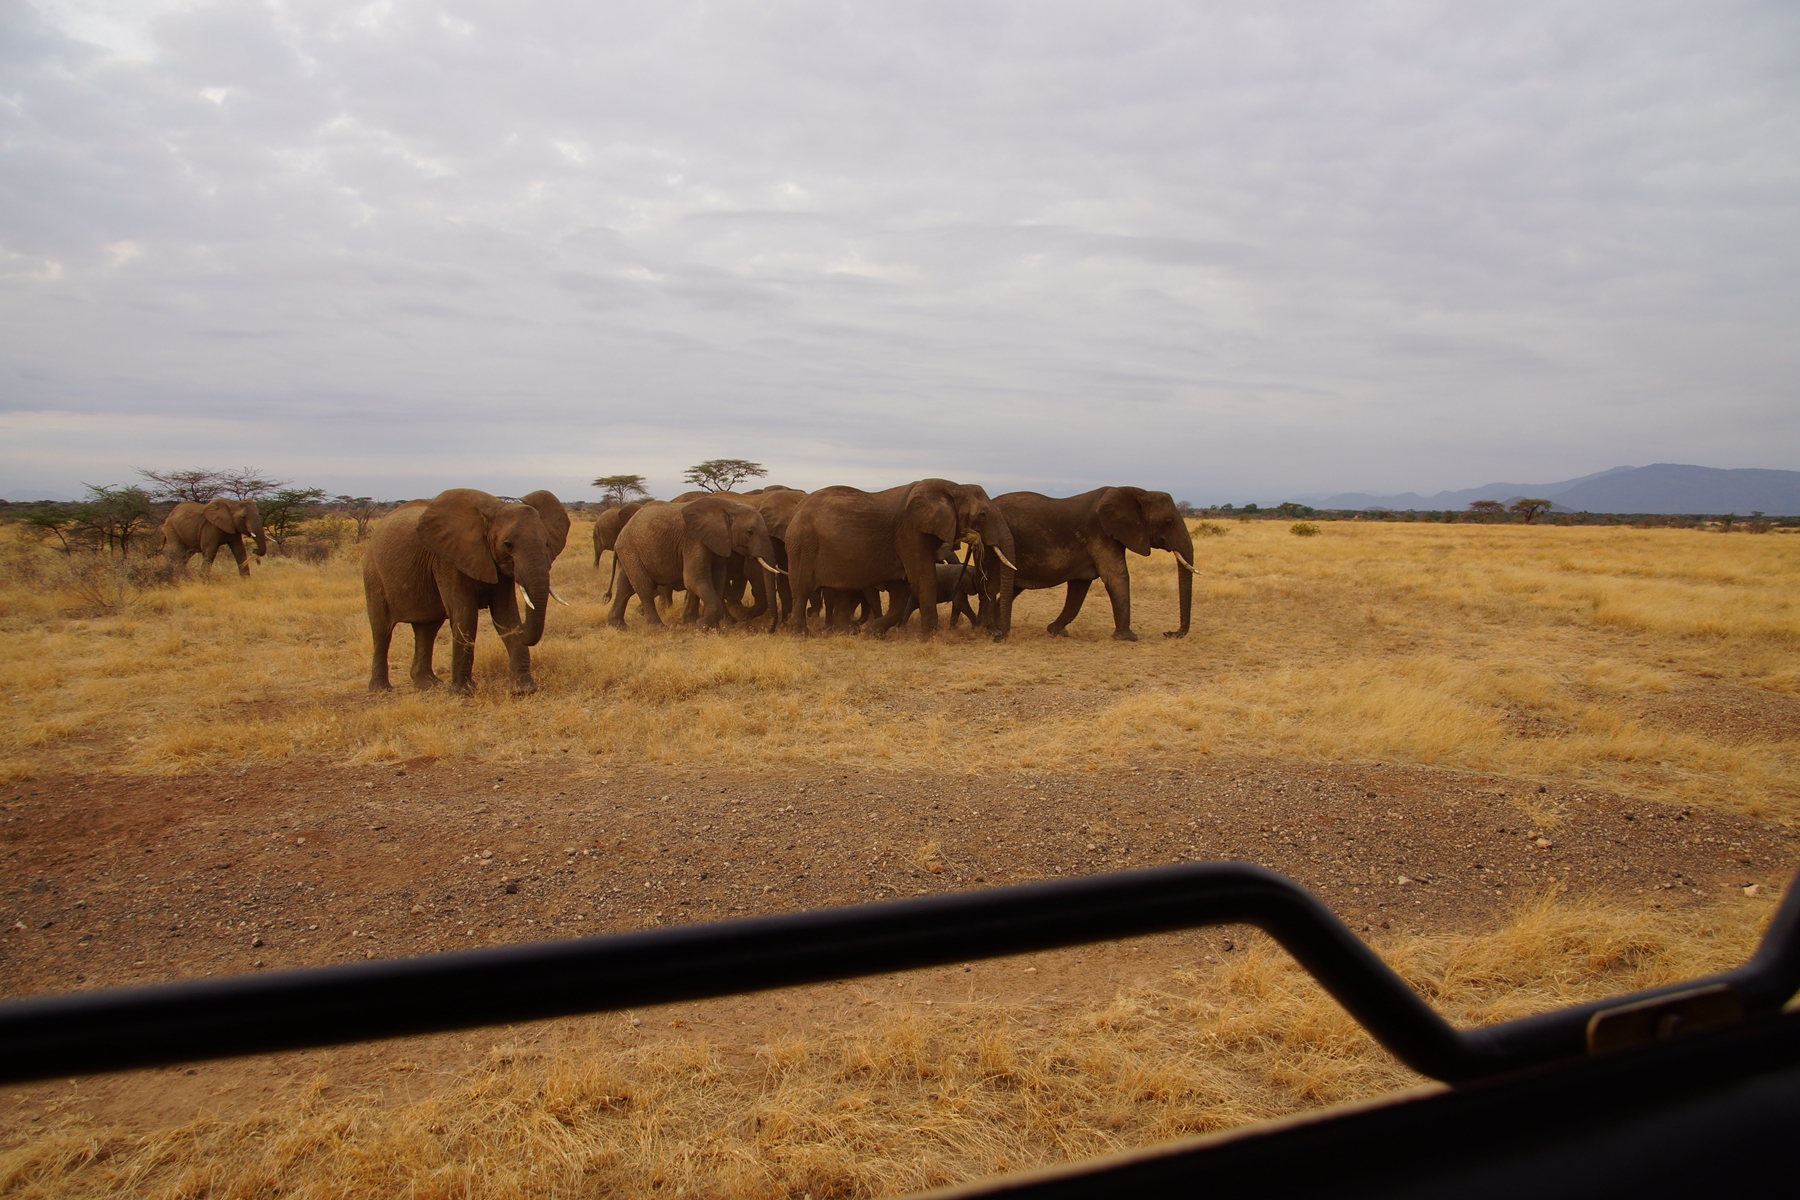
[[1077, 541]]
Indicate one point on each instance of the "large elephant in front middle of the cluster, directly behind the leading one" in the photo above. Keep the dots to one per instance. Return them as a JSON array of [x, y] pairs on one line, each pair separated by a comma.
[[850, 539]]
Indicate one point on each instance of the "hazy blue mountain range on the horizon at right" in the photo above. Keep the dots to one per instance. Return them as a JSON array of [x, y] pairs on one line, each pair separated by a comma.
[[1657, 488]]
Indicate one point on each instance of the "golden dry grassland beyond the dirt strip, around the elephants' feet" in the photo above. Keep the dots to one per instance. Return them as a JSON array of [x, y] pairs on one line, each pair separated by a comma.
[[1540, 652]]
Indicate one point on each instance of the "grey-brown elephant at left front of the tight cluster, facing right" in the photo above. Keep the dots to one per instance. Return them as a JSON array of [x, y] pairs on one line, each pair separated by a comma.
[[688, 546]]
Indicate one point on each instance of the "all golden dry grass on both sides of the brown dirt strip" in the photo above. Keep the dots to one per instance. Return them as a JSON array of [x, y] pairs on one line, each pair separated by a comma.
[[1624, 658]]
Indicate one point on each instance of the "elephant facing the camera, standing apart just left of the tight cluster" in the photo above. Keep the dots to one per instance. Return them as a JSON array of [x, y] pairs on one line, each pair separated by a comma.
[[453, 557]]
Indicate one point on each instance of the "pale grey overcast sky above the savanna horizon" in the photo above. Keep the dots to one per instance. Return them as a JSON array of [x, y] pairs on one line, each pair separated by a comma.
[[1236, 251]]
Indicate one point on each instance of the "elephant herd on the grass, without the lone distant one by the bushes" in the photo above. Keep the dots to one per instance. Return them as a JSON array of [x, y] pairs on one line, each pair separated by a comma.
[[831, 553]]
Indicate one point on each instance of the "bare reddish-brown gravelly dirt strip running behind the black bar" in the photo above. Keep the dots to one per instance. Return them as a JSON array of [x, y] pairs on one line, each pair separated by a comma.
[[127, 881]]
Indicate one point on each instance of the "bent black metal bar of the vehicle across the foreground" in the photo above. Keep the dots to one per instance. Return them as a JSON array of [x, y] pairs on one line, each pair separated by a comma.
[[85, 1034]]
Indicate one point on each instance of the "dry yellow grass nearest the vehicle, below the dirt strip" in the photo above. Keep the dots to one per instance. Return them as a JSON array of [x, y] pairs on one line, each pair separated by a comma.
[[912, 1098]]
